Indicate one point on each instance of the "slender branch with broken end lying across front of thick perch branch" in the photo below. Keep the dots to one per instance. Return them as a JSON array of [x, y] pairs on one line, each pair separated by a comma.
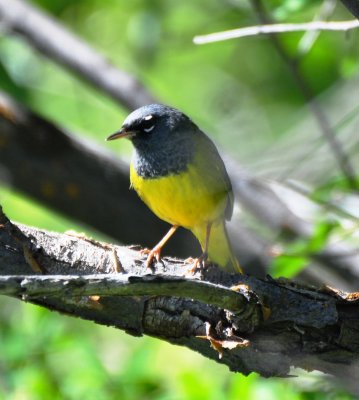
[[33, 286]]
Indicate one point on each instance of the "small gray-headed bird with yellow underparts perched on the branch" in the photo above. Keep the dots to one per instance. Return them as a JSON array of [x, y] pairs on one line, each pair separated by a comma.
[[178, 173]]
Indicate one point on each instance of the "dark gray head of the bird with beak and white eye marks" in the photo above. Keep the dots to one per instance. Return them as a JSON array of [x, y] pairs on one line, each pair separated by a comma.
[[154, 125]]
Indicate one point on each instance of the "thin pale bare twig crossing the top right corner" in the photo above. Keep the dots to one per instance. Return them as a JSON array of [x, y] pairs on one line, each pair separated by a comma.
[[276, 28]]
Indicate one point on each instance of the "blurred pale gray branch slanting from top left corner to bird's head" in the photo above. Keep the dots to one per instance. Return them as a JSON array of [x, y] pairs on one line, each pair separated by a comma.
[[53, 40]]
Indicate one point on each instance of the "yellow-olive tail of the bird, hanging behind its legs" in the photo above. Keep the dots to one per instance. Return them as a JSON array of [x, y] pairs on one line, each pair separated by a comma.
[[219, 248]]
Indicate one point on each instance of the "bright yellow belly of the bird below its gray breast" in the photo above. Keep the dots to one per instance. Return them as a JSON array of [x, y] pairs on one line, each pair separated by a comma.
[[188, 199]]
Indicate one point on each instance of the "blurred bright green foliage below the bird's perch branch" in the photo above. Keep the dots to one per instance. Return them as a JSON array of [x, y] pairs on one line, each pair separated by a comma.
[[45, 355]]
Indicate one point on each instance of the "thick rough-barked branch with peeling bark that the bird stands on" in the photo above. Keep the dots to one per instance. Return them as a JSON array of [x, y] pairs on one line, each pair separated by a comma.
[[257, 325]]
